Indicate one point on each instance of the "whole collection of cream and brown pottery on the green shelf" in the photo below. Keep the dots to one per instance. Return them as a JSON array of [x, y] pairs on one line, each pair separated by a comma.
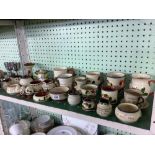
[[83, 91]]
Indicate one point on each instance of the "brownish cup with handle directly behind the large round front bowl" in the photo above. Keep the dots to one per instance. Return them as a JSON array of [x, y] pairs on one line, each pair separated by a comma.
[[133, 96]]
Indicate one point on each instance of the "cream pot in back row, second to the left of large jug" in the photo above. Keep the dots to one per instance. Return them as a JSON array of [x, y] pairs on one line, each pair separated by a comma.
[[93, 77]]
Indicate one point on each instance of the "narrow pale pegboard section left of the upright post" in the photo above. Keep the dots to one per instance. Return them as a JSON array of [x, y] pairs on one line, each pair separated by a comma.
[[8, 46]]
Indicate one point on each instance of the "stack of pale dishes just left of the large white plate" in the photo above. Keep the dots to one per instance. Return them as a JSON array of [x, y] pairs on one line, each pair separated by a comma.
[[42, 124]]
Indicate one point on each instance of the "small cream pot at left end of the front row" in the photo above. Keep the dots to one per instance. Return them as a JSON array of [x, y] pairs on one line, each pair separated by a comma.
[[13, 89]]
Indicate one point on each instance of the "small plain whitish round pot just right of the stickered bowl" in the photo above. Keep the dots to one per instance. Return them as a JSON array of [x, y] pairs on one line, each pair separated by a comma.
[[74, 98]]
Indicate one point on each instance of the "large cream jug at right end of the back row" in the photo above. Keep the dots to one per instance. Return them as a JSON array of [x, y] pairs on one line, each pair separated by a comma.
[[142, 82]]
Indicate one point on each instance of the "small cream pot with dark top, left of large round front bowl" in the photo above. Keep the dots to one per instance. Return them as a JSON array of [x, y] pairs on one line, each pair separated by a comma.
[[104, 108]]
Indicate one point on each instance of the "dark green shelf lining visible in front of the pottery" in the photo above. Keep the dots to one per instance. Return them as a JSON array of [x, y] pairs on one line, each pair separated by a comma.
[[143, 123]]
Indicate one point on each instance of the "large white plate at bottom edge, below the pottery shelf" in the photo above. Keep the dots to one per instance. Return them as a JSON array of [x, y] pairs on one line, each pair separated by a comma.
[[63, 130]]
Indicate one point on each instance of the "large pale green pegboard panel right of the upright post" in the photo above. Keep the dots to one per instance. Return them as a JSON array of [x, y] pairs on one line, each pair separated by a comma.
[[102, 45]]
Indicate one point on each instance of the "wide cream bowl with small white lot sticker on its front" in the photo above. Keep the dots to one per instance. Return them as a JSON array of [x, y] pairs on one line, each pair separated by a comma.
[[59, 93]]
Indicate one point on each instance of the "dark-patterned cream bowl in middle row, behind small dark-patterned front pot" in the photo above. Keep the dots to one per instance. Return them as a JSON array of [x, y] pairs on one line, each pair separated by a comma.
[[89, 90]]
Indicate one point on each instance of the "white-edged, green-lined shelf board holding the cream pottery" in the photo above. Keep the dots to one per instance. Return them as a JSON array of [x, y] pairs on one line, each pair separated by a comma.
[[63, 108]]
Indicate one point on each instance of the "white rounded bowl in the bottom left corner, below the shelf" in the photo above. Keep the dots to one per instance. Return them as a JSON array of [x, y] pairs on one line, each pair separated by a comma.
[[18, 129]]
